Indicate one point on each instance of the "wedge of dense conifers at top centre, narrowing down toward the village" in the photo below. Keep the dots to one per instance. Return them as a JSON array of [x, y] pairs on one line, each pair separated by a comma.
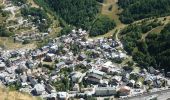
[[79, 13]]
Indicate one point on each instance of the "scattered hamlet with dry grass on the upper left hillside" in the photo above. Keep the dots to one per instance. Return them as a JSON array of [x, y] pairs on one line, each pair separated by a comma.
[[25, 28]]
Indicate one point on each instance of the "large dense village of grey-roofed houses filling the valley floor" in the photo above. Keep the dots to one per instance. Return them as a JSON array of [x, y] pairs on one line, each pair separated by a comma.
[[74, 66]]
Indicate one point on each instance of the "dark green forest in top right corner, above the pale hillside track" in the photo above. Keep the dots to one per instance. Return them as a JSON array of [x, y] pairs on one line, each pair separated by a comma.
[[138, 9]]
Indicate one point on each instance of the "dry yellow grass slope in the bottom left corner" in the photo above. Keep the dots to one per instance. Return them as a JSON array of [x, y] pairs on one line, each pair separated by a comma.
[[13, 95]]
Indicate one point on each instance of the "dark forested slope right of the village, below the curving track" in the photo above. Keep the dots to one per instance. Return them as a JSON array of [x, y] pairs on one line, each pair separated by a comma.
[[153, 51]]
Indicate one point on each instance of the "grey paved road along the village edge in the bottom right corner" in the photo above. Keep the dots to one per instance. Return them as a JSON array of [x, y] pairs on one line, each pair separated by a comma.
[[161, 95]]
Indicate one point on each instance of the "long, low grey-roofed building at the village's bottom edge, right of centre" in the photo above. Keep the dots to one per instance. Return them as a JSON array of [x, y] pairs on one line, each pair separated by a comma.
[[105, 91]]
